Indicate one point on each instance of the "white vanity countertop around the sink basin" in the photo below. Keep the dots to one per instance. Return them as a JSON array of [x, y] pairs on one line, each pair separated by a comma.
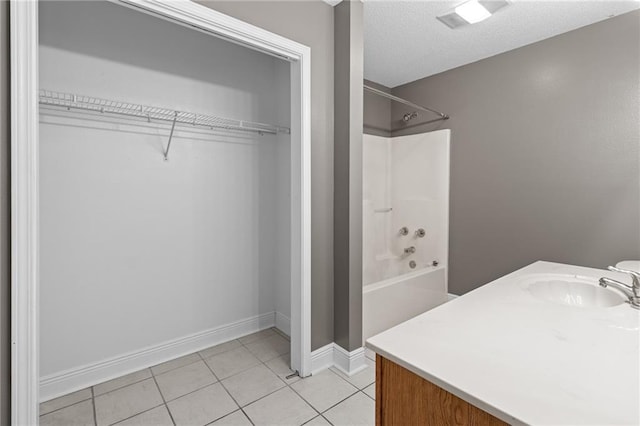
[[524, 360]]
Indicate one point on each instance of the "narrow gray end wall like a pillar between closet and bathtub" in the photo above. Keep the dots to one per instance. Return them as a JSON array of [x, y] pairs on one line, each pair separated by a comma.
[[347, 218]]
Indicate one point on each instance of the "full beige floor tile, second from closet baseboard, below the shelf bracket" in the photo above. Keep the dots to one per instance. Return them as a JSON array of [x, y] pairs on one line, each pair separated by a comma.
[[181, 381]]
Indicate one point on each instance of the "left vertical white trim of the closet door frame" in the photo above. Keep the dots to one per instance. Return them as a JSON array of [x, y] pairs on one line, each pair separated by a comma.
[[24, 212]]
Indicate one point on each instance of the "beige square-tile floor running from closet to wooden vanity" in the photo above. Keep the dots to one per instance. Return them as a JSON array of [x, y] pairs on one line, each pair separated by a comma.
[[241, 382]]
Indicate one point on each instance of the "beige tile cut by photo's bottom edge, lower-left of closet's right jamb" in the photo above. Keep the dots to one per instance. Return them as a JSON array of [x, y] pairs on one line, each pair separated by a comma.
[[283, 407]]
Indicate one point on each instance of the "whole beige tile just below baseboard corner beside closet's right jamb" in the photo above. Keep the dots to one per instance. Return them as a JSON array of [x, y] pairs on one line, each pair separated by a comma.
[[324, 389]]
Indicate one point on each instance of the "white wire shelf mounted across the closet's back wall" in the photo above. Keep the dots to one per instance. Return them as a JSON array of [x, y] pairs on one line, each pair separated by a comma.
[[72, 101]]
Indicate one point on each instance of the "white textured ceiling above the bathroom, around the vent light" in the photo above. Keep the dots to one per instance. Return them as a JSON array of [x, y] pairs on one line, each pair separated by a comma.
[[405, 42]]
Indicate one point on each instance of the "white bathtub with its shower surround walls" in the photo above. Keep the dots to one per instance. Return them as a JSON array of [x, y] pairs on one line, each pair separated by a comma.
[[405, 191]]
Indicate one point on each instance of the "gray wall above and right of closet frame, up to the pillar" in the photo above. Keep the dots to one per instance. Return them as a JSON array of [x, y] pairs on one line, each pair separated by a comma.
[[309, 23]]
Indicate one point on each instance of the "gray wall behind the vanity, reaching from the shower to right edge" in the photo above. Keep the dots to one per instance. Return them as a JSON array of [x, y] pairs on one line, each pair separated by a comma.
[[545, 152]]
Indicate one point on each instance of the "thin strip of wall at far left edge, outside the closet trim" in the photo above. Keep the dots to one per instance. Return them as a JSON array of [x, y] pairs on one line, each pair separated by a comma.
[[5, 312]]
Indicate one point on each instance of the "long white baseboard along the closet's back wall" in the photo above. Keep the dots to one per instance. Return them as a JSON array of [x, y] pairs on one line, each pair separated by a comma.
[[71, 380]]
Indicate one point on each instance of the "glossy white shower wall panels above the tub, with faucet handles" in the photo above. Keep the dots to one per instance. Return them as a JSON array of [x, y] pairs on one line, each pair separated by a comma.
[[405, 185]]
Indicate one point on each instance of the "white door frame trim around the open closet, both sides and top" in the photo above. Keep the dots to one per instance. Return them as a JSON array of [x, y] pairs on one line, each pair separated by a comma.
[[25, 186]]
